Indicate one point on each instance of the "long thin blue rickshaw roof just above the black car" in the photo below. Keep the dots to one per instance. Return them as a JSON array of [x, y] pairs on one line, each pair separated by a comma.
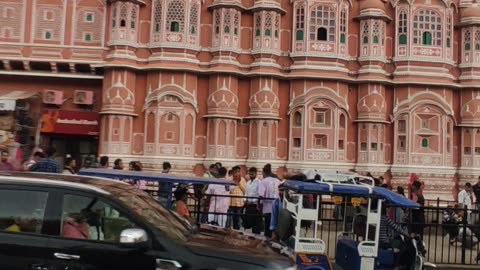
[[152, 176]]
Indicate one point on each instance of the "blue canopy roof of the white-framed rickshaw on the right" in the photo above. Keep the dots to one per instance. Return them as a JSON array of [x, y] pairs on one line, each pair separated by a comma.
[[350, 190]]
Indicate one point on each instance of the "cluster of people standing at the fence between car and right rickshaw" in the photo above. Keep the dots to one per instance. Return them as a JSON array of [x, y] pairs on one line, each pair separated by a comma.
[[240, 205]]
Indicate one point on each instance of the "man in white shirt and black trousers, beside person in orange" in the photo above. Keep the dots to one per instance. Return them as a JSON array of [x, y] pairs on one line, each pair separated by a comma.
[[252, 215]]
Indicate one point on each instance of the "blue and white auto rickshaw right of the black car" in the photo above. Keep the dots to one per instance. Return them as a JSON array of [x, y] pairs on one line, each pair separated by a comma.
[[310, 250]]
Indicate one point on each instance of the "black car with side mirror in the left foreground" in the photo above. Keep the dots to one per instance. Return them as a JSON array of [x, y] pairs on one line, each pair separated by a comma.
[[50, 222]]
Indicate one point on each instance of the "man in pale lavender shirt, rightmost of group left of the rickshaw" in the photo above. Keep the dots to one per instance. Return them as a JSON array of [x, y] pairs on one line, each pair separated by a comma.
[[268, 192]]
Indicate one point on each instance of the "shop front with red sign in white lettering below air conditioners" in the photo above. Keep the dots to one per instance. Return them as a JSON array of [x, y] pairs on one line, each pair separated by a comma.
[[72, 133]]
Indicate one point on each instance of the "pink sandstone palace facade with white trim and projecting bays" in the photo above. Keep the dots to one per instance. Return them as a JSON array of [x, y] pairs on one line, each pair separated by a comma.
[[387, 87]]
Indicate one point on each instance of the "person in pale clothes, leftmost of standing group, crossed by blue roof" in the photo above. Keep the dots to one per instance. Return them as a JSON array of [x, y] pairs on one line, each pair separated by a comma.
[[219, 201]]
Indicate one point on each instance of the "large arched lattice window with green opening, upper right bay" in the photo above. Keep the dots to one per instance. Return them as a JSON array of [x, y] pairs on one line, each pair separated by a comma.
[[427, 28]]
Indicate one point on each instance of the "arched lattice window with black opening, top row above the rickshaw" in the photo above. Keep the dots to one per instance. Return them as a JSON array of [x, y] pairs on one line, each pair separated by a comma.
[[322, 24]]
